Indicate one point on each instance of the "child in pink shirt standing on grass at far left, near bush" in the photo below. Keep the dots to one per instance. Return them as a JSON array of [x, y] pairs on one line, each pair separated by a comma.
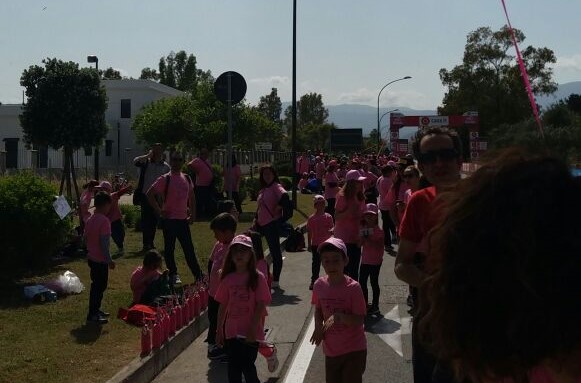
[[97, 237]]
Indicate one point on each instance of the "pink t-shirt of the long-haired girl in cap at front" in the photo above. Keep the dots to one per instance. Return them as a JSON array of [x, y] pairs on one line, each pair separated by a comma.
[[240, 303]]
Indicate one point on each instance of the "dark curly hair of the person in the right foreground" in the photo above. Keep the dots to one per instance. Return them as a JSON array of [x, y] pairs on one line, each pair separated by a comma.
[[507, 255]]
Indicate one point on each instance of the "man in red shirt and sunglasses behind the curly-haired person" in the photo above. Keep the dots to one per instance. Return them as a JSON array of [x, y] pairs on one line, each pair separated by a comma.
[[438, 151]]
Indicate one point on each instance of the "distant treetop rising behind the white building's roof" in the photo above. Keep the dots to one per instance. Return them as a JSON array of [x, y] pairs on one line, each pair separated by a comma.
[[177, 70]]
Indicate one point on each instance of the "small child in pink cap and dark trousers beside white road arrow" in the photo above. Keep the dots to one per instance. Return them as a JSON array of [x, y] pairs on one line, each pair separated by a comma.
[[372, 238]]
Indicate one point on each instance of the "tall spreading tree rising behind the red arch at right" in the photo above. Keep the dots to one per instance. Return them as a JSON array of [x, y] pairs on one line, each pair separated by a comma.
[[489, 81]]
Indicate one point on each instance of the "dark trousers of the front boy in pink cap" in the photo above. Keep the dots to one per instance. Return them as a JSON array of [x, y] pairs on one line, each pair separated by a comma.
[[346, 368]]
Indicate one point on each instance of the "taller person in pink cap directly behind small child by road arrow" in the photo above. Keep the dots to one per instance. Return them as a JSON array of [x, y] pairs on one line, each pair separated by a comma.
[[349, 208]]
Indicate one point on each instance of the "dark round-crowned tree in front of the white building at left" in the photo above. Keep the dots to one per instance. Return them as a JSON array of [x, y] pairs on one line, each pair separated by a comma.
[[65, 109]]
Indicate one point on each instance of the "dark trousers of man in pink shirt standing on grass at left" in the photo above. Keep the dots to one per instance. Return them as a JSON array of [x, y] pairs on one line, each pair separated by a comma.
[[179, 229]]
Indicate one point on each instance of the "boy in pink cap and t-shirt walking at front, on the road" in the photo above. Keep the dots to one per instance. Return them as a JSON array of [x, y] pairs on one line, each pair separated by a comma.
[[339, 314]]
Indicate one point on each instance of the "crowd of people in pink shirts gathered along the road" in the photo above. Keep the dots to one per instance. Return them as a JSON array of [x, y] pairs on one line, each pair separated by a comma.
[[486, 258]]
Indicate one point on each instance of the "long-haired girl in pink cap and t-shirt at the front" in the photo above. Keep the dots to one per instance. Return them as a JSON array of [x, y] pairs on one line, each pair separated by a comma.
[[243, 296]]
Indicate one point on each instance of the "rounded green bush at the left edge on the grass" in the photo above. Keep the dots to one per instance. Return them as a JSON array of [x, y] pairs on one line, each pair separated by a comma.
[[31, 230]]
